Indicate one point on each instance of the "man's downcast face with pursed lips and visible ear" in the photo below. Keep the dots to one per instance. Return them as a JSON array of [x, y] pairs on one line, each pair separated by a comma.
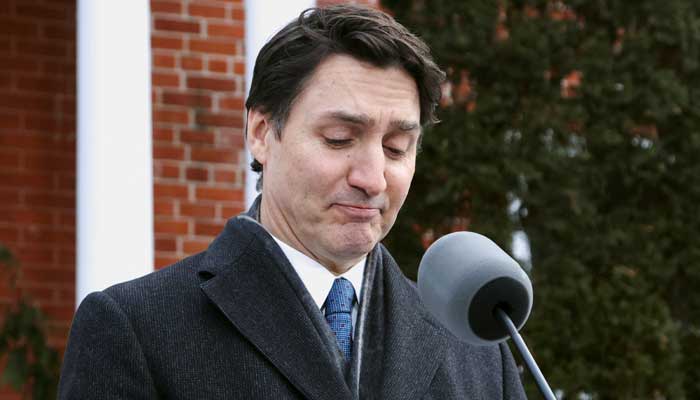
[[335, 181]]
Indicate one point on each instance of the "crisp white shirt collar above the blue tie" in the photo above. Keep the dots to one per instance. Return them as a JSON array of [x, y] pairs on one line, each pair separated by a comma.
[[319, 280]]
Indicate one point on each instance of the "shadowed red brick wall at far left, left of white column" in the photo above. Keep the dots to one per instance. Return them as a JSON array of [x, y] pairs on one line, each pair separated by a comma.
[[37, 155]]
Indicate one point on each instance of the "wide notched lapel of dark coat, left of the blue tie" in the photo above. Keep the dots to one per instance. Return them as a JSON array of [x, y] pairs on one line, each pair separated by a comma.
[[248, 285]]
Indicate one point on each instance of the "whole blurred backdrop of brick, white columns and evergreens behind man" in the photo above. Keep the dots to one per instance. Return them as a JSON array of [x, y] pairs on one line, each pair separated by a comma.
[[570, 136]]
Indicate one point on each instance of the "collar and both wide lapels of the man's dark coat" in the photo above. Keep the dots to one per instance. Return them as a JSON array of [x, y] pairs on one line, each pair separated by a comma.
[[249, 280]]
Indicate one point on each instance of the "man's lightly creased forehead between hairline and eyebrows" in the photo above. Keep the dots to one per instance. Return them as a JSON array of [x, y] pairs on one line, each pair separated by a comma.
[[341, 82]]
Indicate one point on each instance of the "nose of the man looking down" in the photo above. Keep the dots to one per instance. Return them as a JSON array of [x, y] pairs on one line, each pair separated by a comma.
[[367, 169]]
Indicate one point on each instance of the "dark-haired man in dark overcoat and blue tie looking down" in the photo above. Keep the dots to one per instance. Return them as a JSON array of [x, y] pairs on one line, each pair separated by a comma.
[[297, 299]]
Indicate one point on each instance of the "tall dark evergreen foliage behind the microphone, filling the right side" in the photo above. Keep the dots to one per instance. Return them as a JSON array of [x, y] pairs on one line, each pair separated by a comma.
[[602, 176]]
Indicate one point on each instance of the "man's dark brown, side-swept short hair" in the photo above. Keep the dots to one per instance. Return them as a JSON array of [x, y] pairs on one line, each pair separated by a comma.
[[288, 60]]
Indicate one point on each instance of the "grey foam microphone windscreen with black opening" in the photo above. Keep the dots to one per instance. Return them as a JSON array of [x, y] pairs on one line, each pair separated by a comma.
[[463, 277]]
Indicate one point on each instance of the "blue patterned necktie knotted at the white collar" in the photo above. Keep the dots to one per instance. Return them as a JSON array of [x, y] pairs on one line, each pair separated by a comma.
[[339, 314]]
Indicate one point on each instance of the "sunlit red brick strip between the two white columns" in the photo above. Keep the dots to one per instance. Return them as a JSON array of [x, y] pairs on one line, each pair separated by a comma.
[[198, 114]]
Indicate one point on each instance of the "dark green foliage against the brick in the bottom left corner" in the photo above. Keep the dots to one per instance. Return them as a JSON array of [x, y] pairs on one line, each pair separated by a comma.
[[32, 367]]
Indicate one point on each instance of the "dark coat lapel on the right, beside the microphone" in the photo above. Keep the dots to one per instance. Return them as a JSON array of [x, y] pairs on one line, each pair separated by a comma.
[[402, 345]]
